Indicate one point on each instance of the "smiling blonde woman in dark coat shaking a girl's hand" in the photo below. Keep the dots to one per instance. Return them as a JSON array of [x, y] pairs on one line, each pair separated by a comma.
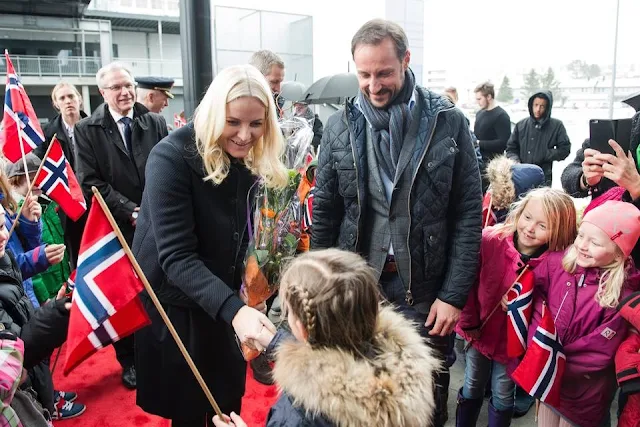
[[190, 241]]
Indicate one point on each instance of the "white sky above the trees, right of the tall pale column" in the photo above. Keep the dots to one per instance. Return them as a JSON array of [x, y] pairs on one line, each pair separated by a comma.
[[527, 33]]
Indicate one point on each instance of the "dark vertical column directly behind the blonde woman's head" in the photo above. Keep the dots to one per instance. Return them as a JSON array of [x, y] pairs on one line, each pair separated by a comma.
[[196, 46]]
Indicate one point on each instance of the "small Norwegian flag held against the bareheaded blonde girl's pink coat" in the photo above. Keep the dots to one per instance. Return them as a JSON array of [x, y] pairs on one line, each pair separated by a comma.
[[519, 310]]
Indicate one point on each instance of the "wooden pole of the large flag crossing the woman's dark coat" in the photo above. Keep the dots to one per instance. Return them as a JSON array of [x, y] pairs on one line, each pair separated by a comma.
[[156, 302]]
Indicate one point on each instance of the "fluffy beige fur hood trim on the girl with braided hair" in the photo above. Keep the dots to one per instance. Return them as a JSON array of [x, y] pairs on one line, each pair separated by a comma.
[[395, 388]]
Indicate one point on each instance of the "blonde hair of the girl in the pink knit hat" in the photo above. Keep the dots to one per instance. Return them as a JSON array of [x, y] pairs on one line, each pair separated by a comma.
[[611, 281]]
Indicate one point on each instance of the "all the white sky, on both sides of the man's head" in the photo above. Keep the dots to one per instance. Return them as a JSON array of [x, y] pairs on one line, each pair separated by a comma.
[[478, 39]]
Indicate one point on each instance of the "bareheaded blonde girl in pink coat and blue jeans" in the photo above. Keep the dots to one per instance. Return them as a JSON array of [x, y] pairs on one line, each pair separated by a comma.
[[543, 220]]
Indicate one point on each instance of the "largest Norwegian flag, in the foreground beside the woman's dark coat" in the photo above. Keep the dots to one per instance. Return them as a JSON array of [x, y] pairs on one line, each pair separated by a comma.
[[105, 304]]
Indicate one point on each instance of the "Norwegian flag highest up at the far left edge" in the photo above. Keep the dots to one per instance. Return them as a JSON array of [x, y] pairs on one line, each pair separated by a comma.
[[20, 123]]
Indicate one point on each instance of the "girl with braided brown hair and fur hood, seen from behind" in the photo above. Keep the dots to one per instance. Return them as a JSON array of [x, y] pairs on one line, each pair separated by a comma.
[[351, 361]]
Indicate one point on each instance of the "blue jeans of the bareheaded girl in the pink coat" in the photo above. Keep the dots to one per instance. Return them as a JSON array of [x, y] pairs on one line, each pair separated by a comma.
[[478, 371]]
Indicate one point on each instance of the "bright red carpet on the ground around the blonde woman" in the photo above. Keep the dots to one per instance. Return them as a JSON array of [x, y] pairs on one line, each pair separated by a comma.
[[109, 404]]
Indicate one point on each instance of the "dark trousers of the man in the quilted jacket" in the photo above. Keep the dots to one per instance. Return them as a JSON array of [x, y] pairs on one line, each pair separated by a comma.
[[394, 291]]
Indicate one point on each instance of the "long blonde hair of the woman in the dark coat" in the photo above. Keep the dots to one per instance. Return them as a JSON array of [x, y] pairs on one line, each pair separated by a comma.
[[264, 158]]
